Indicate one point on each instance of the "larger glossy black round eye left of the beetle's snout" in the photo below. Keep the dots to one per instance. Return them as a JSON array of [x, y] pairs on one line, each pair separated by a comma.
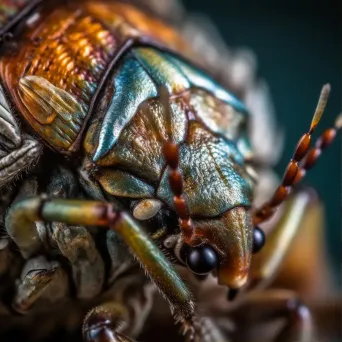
[[201, 259]]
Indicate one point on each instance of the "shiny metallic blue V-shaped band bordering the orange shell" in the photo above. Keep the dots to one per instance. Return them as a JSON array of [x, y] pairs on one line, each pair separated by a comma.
[[137, 79]]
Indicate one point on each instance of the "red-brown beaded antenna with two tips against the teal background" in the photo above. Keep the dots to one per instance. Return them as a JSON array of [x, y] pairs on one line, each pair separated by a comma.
[[302, 160]]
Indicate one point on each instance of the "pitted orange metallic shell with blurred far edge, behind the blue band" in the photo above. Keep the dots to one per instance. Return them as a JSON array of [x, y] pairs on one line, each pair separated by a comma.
[[61, 55]]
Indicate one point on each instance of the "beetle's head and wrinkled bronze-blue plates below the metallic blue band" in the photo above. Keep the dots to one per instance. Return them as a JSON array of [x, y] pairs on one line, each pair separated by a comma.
[[203, 179]]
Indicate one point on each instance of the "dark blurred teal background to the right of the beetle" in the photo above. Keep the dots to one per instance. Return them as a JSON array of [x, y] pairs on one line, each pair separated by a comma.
[[298, 47]]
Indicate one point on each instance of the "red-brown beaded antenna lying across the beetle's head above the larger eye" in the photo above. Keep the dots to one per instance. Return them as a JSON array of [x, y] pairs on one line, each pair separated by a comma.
[[171, 155]]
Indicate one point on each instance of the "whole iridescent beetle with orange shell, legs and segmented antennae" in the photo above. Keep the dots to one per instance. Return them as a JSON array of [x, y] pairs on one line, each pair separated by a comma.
[[123, 128]]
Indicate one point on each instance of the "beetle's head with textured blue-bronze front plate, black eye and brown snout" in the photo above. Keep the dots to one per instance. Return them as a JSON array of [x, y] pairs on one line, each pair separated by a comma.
[[217, 190]]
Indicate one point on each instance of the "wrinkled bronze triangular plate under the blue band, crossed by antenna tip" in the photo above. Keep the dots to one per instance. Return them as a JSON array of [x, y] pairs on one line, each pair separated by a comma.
[[139, 149]]
